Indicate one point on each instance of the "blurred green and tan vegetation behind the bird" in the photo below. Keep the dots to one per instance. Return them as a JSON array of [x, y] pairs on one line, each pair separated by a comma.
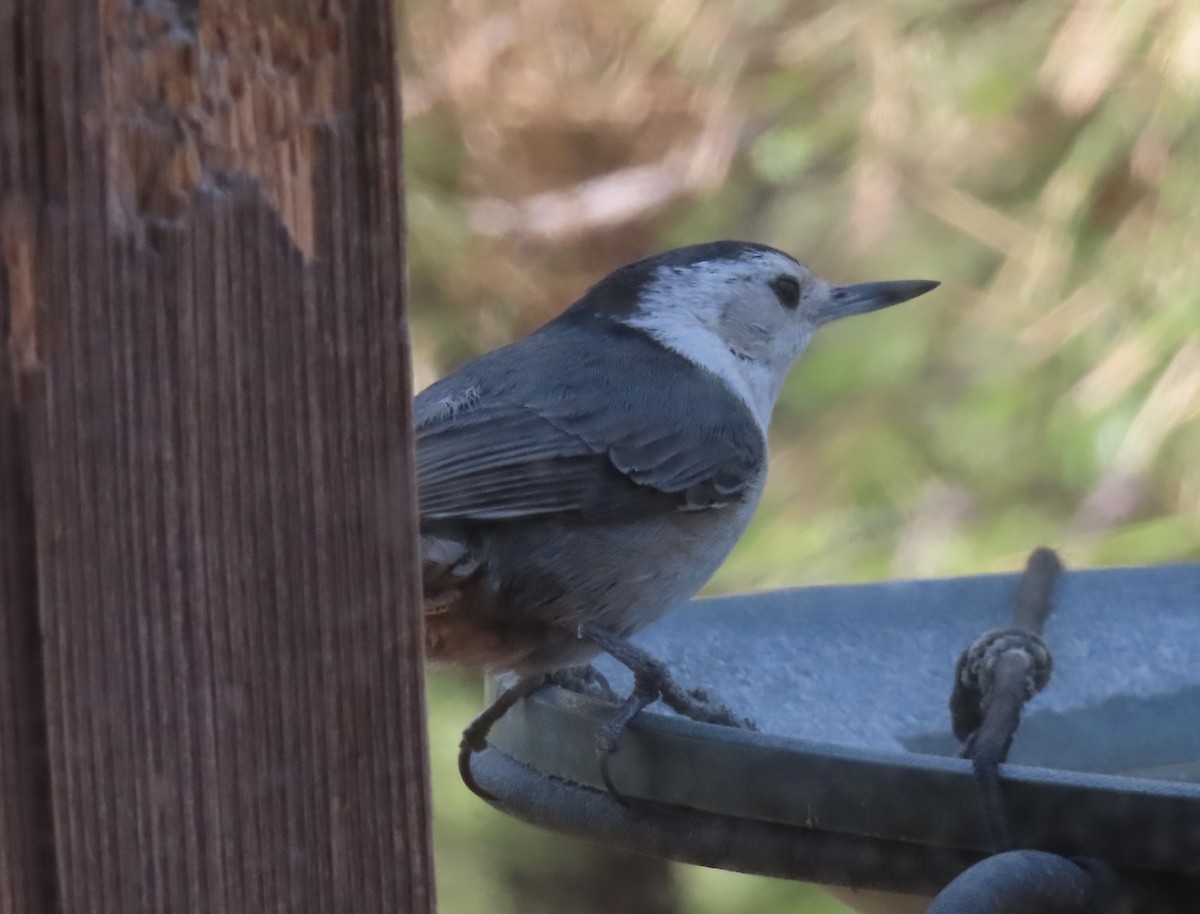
[[1042, 160]]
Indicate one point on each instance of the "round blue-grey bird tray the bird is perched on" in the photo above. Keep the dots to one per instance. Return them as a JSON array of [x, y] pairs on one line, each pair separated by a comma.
[[854, 778]]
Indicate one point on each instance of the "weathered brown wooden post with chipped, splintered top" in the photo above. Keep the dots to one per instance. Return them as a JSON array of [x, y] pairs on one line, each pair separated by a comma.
[[211, 684]]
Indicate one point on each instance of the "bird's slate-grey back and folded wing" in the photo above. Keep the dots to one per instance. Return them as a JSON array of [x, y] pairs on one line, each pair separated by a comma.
[[508, 437]]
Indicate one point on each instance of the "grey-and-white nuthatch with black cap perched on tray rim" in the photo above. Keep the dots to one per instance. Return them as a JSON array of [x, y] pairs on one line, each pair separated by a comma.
[[580, 483]]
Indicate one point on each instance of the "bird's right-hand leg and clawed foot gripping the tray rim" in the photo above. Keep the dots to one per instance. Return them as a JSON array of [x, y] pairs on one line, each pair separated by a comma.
[[652, 681]]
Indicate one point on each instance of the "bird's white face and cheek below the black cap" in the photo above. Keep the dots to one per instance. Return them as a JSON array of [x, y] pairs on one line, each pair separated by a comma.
[[741, 320]]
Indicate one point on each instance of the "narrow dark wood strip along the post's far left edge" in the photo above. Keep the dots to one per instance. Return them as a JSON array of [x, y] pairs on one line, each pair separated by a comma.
[[27, 874]]
